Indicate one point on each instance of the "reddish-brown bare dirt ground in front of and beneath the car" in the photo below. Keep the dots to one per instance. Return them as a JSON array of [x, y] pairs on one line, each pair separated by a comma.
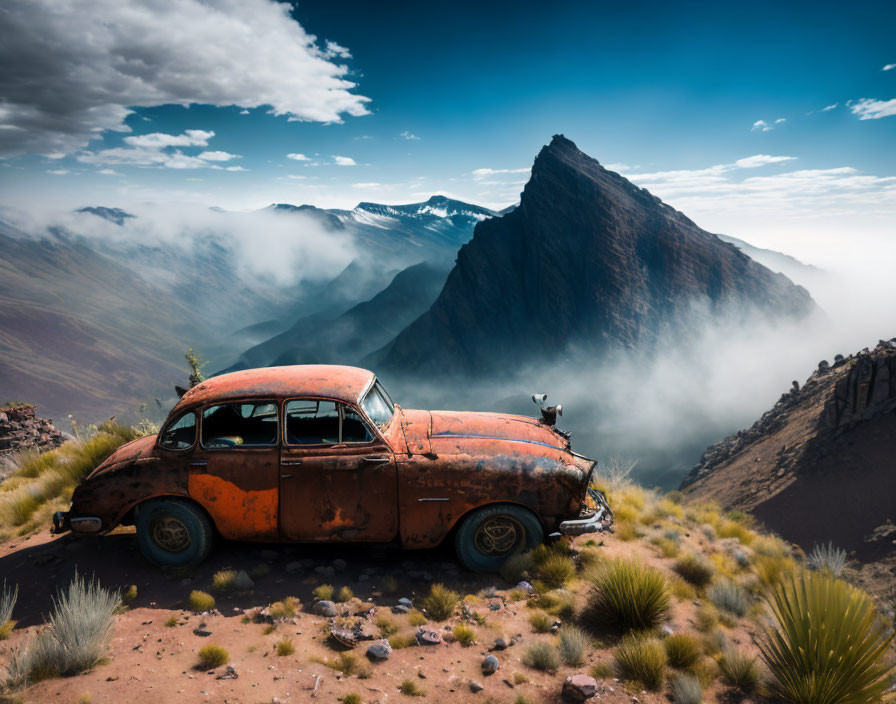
[[149, 662]]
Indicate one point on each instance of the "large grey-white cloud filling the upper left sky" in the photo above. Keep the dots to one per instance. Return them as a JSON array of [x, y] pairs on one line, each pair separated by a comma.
[[93, 62]]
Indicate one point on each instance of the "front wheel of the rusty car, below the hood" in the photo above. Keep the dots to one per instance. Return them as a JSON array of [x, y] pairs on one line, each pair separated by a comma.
[[490, 535]]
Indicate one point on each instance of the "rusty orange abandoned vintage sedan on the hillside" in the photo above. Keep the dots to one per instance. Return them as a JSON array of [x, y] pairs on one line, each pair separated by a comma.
[[317, 453]]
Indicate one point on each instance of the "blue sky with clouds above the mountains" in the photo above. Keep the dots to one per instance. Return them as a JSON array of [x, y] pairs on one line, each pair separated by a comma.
[[717, 107]]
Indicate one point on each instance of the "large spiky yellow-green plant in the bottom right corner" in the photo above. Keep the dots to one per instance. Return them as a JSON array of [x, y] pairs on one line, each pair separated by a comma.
[[828, 644]]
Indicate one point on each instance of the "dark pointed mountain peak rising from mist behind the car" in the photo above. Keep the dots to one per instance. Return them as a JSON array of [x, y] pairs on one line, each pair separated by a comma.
[[587, 259]]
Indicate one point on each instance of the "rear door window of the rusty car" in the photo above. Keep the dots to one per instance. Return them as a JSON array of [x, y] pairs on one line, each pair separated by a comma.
[[230, 425]]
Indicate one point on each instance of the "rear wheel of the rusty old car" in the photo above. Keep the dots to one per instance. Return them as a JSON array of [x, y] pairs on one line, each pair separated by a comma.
[[172, 533]]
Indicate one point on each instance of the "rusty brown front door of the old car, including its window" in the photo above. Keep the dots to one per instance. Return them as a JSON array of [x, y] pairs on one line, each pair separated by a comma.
[[337, 475]]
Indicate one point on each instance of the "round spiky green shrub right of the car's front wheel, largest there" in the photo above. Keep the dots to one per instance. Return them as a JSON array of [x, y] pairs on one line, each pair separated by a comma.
[[628, 595]]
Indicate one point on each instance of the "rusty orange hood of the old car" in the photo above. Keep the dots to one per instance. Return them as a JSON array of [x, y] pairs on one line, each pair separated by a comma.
[[439, 431]]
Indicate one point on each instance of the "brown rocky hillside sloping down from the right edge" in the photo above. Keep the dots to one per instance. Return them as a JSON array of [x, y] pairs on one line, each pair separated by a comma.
[[819, 466]]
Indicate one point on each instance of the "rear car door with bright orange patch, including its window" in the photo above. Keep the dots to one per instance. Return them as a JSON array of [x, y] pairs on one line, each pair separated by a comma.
[[234, 471]]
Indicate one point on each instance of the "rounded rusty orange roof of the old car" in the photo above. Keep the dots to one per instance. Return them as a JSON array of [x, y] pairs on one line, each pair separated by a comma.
[[326, 380]]
